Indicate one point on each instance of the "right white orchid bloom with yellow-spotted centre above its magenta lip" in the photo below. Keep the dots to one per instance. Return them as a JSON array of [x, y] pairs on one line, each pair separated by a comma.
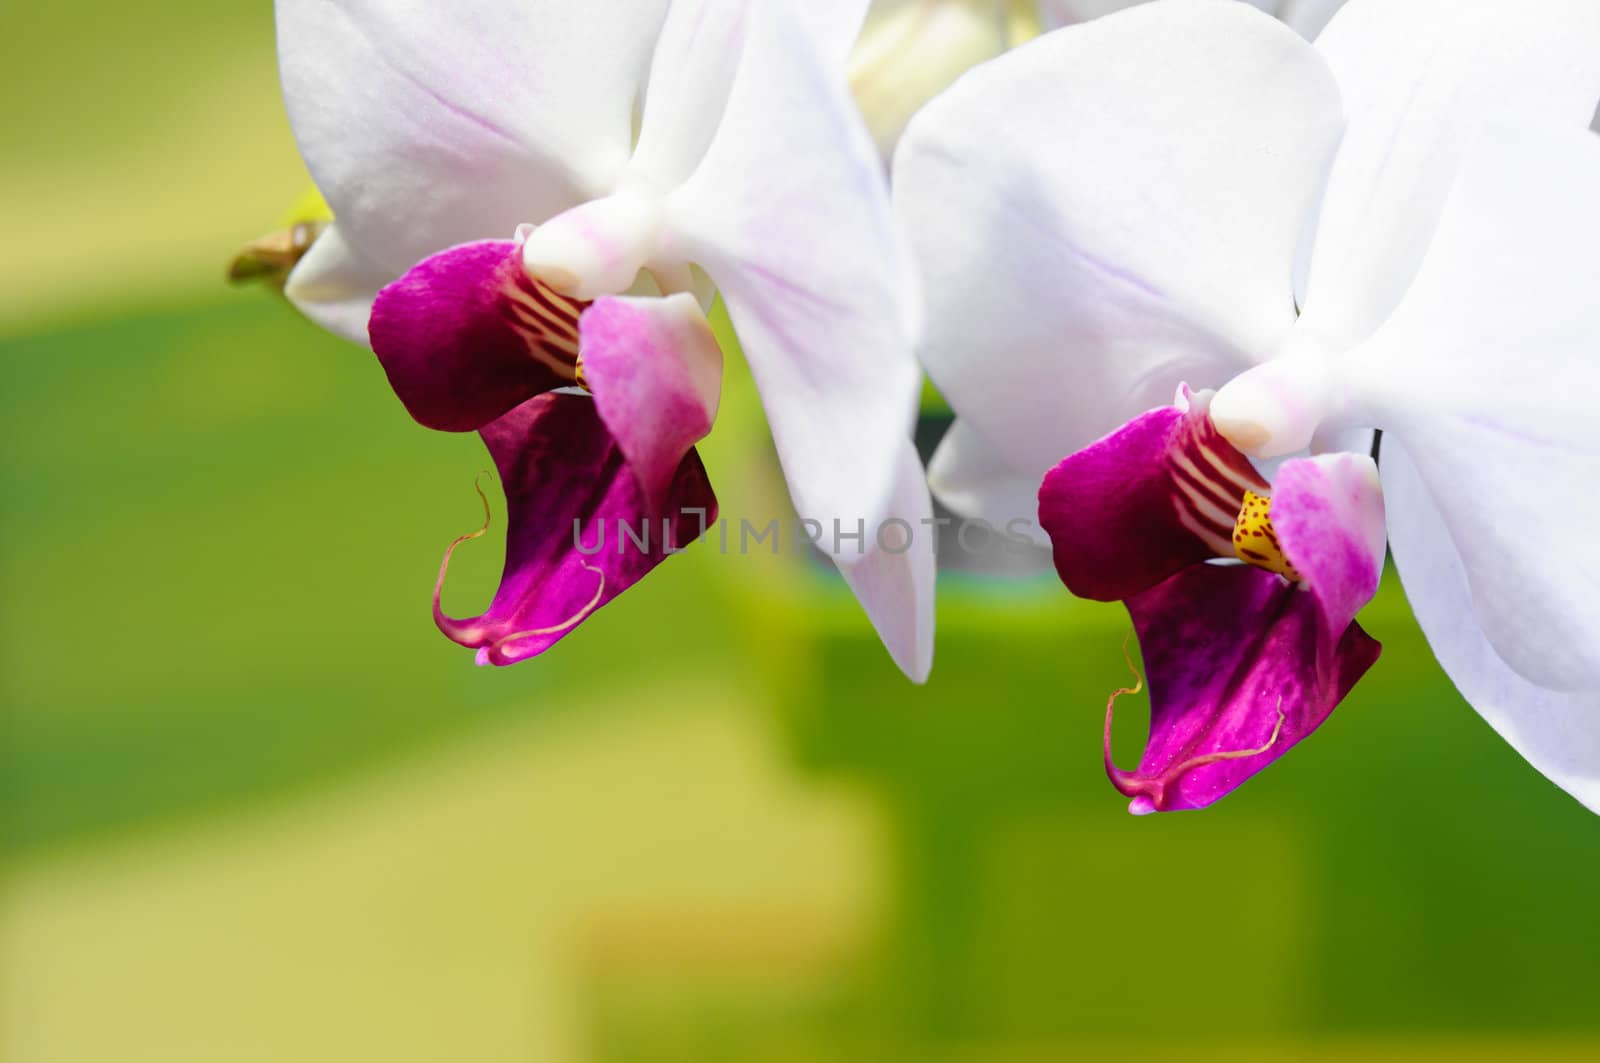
[[1396, 228]]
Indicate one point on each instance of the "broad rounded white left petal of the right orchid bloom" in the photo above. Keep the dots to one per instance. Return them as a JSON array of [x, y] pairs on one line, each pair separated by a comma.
[[1113, 211]]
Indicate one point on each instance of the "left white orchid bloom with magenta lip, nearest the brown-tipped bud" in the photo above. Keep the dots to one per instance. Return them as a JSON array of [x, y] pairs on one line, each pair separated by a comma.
[[529, 201]]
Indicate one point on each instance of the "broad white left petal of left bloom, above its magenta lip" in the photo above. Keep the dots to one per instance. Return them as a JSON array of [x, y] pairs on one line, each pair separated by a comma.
[[434, 124]]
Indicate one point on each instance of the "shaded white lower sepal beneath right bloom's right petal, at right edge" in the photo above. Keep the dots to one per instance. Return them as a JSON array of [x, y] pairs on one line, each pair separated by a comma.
[[1558, 732]]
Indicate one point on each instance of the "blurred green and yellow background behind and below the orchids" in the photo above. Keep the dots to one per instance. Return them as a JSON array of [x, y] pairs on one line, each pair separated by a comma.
[[255, 808]]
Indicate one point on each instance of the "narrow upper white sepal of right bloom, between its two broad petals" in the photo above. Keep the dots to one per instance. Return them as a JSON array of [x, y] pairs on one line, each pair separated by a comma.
[[1418, 78]]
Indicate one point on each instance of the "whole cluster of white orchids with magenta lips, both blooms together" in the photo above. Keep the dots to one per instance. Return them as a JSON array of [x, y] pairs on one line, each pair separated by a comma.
[[1236, 307]]
